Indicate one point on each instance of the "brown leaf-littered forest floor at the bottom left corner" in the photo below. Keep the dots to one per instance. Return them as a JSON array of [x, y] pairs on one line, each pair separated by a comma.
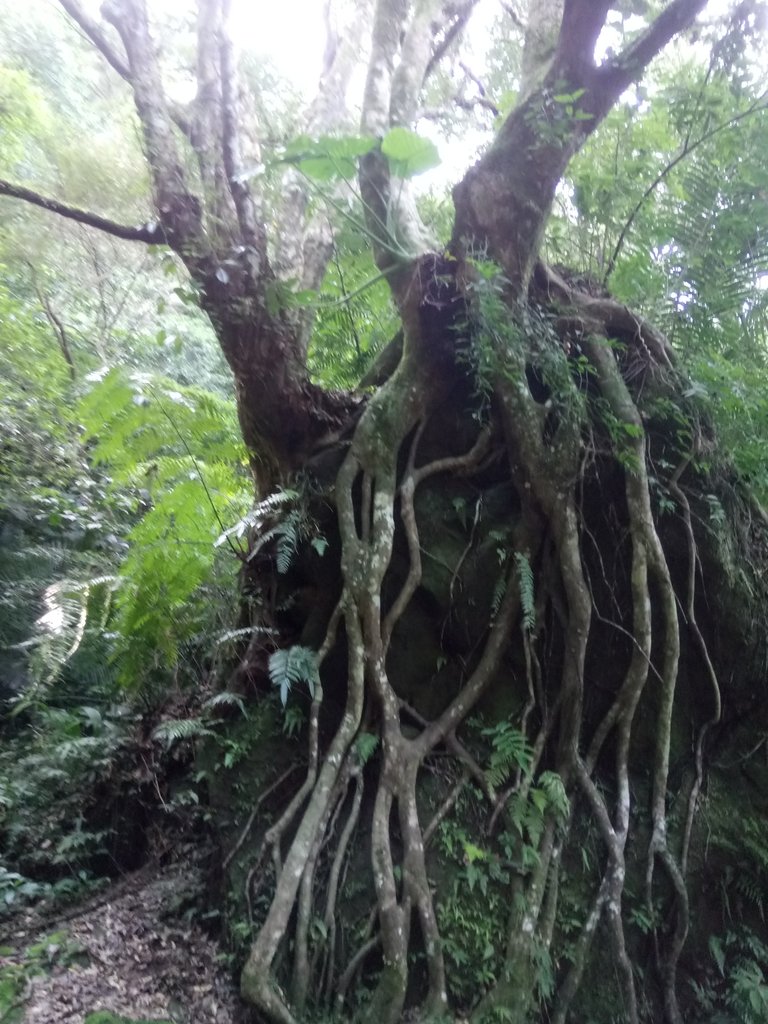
[[126, 953]]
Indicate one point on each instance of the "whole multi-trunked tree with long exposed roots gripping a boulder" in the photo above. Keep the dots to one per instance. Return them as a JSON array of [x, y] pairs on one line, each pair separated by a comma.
[[549, 399]]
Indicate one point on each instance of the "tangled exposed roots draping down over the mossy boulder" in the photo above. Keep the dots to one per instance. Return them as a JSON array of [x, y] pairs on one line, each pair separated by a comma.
[[547, 463]]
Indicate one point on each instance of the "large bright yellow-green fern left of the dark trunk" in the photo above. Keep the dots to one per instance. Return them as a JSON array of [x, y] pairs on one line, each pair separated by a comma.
[[180, 449]]
